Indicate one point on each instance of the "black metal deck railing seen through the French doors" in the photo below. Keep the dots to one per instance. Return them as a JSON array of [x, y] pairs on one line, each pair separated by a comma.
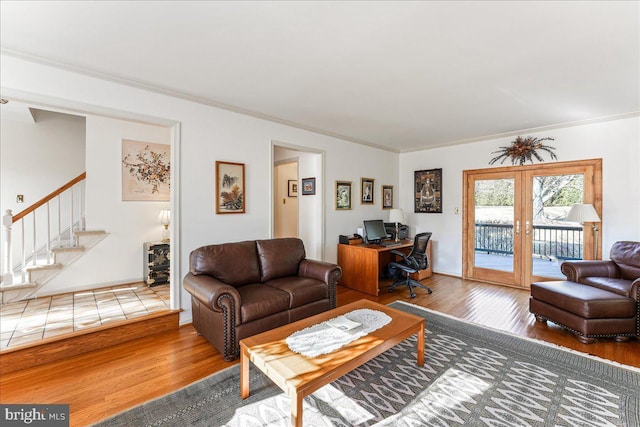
[[549, 241]]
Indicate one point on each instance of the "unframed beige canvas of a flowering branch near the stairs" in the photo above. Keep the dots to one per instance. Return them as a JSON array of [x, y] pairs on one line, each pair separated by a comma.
[[146, 171]]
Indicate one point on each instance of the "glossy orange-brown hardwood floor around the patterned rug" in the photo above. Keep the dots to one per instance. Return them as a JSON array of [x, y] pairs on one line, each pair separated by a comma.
[[111, 380]]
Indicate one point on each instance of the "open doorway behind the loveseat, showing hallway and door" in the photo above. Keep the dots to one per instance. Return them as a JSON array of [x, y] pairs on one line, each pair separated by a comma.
[[296, 212]]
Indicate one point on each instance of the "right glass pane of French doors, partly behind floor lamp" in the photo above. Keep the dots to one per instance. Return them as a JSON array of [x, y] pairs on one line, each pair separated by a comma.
[[555, 240]]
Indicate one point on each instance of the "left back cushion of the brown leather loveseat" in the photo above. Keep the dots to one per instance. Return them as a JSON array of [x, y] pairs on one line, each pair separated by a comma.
[[232, 263]]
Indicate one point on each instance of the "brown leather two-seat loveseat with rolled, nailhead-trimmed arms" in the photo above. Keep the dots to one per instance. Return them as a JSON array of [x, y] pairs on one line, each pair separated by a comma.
[[243, 288]]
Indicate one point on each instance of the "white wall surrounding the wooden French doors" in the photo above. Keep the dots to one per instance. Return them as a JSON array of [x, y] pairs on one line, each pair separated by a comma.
[[616, 142]]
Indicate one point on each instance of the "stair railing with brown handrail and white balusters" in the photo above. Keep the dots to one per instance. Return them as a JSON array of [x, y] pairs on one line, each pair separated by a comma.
[[65, 210]]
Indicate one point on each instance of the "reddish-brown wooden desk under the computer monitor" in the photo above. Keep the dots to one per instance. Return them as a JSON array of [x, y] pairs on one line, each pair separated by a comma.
[[362, 265]]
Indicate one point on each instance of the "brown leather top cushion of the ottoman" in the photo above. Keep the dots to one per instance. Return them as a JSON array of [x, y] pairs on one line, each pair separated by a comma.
[[583, 300]]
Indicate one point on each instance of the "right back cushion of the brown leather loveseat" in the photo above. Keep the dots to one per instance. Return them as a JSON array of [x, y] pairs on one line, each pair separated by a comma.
[[279, 257]]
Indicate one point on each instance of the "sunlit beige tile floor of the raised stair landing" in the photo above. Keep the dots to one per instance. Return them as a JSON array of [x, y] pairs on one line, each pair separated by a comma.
[[27, 321]]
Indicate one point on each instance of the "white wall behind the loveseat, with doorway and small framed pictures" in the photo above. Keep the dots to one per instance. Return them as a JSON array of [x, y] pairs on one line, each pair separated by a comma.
[[209, 134]]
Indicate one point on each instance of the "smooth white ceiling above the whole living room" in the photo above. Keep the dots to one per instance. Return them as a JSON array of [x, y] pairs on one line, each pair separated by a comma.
[[399, 75]]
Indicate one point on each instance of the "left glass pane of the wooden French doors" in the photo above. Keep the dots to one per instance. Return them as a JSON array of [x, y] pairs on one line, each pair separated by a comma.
[[494, 224]]
